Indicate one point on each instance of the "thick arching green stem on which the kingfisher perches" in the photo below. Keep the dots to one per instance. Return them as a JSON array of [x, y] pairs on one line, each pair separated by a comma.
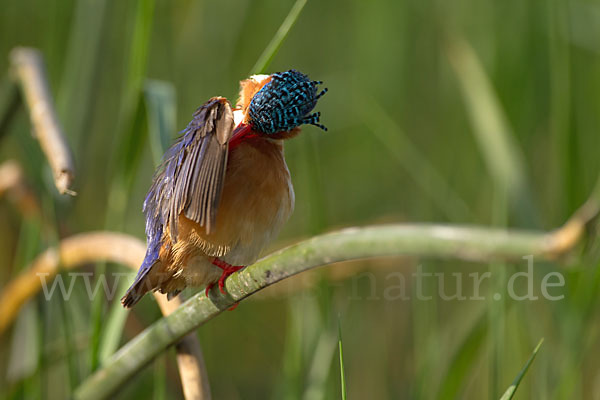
[[468, 243]]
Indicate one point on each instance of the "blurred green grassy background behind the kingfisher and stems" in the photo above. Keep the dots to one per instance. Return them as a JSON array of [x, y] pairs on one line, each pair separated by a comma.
[[465, 112]]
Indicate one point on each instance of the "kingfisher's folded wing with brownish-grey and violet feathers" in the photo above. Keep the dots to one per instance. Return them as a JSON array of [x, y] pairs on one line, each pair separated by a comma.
[[190, 180]]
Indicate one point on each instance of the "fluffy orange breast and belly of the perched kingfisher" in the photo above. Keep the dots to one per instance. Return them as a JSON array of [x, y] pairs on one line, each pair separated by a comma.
[[257, 200]]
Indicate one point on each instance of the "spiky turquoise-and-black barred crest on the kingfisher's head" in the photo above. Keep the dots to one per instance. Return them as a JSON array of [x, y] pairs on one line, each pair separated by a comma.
[[285, 103]]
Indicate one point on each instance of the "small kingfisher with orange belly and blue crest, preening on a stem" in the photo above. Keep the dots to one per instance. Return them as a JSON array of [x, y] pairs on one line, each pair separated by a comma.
[[223, 190]]
